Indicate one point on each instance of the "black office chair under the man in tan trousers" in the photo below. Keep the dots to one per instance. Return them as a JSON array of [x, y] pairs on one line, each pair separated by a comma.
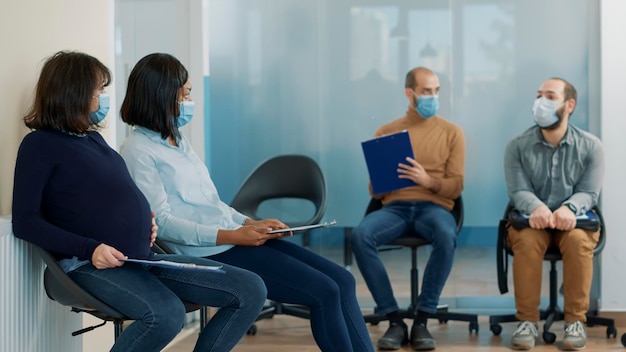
[[553, 312]]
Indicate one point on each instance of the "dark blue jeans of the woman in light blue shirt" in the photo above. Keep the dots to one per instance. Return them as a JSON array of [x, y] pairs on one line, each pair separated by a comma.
[[296, 275]]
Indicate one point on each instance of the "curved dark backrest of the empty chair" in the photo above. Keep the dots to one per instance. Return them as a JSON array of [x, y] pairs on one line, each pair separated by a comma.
[[284, 176]]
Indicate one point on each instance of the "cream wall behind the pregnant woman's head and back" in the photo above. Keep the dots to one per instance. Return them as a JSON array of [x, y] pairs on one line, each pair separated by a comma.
[[31, 31]]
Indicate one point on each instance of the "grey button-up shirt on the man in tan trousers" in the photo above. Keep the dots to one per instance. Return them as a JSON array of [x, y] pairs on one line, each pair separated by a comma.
[[537, 173]]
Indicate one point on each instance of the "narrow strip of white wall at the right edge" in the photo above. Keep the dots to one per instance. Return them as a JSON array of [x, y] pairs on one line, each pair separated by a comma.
[[613, 55]]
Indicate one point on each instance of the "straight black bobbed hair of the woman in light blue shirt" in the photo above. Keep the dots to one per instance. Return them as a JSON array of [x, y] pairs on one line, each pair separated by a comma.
[[151, 98]]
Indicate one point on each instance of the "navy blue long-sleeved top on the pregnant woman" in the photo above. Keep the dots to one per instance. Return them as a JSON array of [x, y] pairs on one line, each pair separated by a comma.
[[72, 193]]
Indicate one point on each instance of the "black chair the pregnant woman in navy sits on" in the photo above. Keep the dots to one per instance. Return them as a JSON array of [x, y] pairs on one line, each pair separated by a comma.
[[62, 289]]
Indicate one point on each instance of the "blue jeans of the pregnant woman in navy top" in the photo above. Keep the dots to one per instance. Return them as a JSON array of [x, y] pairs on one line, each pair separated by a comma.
[[152, 297]]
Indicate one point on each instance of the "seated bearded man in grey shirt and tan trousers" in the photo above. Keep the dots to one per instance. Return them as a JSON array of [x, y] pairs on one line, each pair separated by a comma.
[[554, 173]]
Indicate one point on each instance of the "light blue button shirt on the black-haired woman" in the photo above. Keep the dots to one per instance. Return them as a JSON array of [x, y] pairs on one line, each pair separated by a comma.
[[180, 191]]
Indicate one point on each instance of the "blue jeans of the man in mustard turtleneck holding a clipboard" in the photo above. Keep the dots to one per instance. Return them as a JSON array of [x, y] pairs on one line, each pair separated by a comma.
[[433, 222]]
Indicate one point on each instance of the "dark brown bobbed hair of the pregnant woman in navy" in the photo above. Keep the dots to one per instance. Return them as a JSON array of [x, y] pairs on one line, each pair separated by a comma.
[[65, 91]]
